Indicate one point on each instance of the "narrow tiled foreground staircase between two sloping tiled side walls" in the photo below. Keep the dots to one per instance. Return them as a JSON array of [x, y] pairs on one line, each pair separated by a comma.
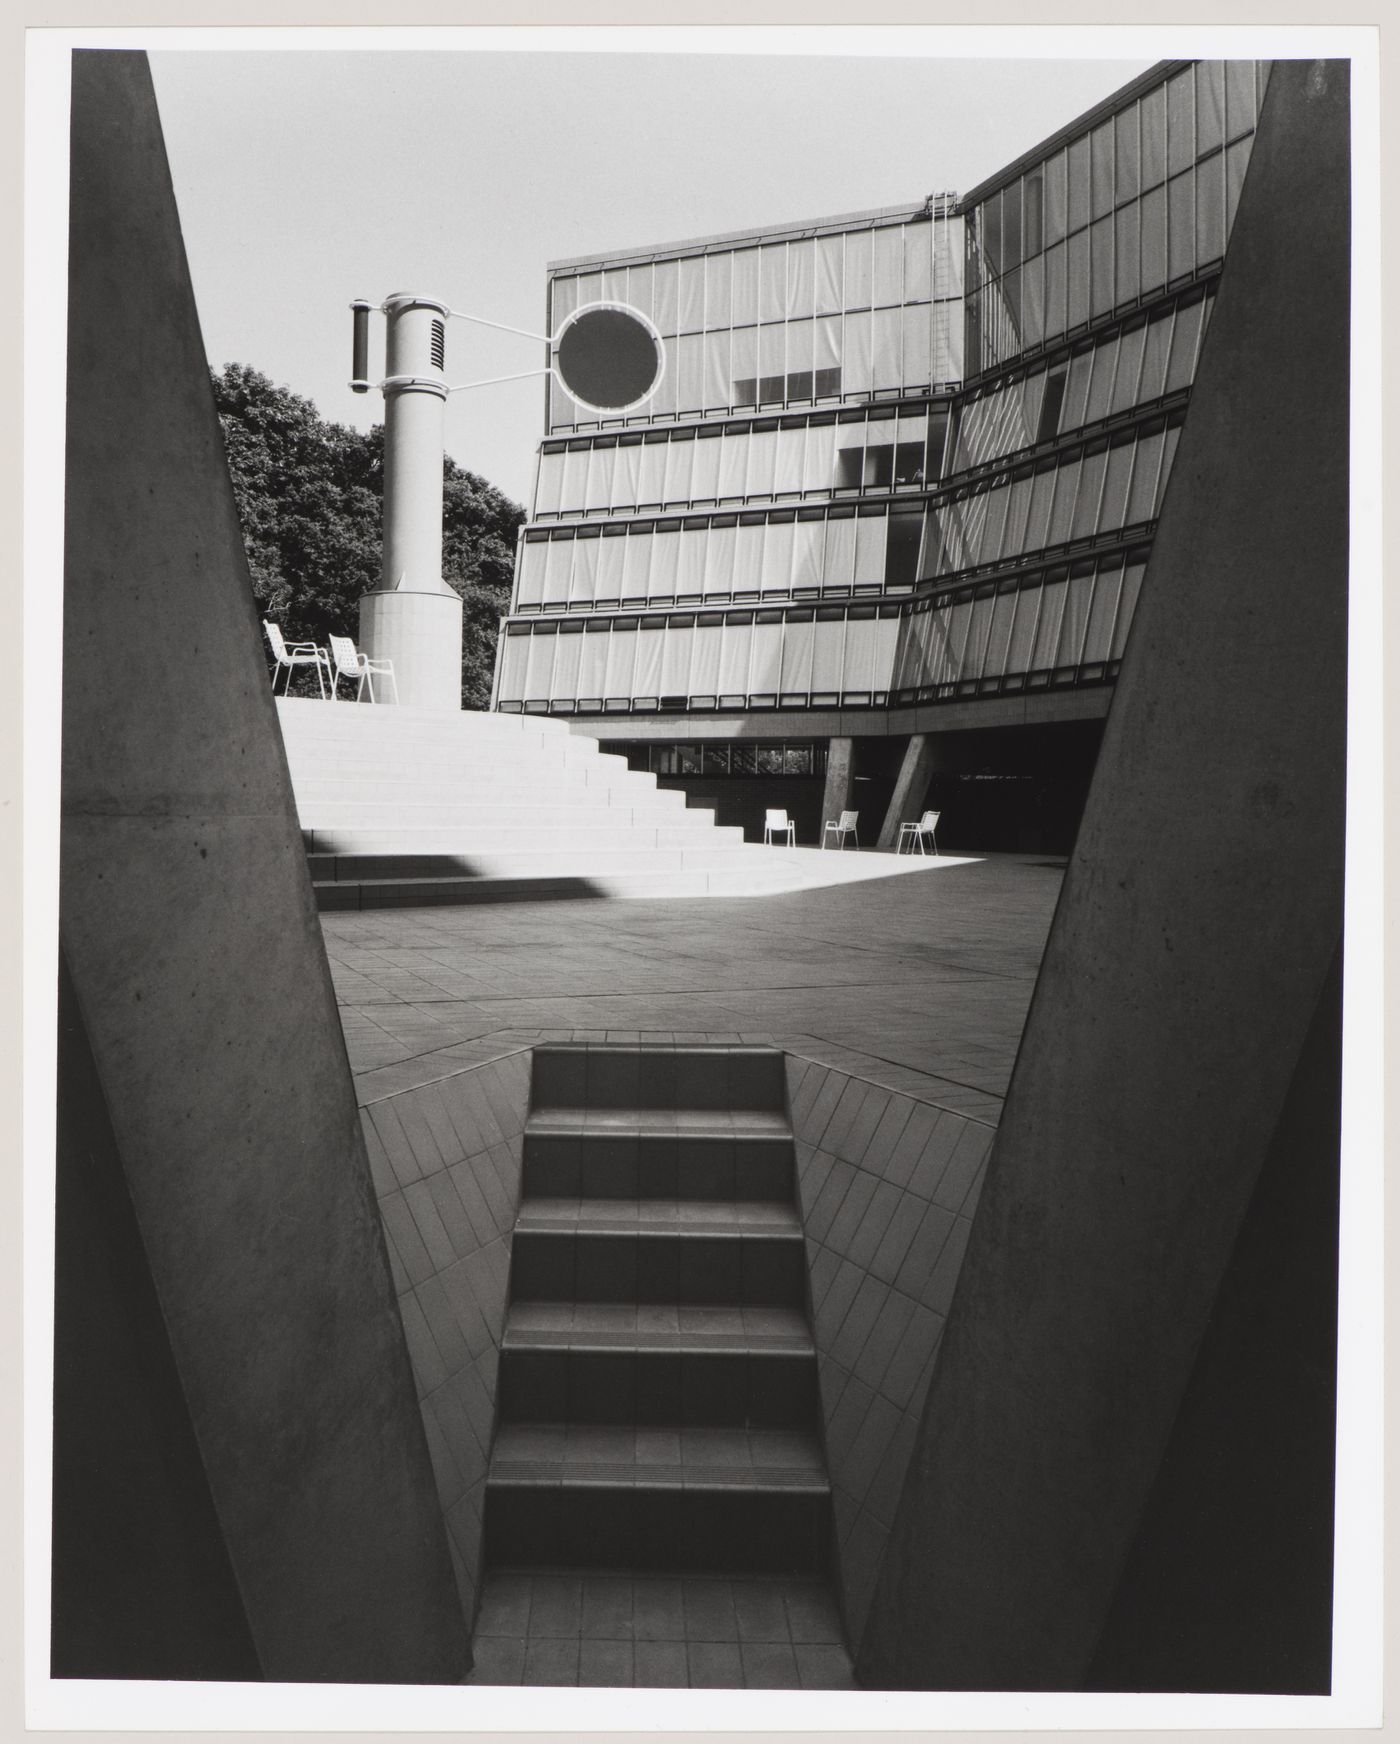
[[658, 1391]]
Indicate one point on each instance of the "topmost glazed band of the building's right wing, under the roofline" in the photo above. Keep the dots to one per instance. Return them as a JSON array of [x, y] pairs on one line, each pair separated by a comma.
[[1122, 214]]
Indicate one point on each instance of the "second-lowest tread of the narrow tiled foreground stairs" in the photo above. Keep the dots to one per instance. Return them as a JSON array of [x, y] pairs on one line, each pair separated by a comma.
[[651, 1328]]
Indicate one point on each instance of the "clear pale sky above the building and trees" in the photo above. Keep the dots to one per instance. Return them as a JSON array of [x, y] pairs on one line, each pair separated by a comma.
[[309, 179]]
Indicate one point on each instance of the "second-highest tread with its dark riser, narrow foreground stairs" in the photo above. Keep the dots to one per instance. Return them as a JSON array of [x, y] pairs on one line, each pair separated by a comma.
[[559, 1260]]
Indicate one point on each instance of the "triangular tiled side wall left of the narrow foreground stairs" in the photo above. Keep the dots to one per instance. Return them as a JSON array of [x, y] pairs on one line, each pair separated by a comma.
[[445, 1159]]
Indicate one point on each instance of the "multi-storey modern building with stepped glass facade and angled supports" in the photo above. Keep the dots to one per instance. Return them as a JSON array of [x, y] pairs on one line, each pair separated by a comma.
[[899, 486]]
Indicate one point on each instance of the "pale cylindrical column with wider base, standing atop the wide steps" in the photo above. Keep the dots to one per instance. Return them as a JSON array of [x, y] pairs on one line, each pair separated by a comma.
[[414, 620]]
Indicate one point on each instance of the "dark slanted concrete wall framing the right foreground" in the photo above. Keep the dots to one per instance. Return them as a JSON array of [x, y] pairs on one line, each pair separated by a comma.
[[1195, 934]]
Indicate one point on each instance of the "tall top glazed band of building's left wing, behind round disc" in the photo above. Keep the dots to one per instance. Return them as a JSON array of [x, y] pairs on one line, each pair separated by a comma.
[[873, 310]]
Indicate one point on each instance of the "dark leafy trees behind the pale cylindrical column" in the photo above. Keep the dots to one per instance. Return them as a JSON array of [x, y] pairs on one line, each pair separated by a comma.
[[311, 500]]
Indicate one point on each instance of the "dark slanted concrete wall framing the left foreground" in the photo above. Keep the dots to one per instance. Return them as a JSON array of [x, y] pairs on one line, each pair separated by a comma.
[[200, 971]]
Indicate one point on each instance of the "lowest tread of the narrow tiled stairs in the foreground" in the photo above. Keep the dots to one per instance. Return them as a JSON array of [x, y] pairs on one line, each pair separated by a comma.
[[669, 1457]]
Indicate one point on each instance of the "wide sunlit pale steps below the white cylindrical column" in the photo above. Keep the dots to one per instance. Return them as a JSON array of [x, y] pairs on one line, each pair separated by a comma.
[[421, 807]]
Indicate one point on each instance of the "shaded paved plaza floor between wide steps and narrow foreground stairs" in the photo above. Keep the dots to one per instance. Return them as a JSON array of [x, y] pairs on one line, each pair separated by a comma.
[[909, 979]]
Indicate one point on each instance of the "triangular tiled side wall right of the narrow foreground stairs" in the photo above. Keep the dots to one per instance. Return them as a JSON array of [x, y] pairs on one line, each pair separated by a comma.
[[888, 1187]]
